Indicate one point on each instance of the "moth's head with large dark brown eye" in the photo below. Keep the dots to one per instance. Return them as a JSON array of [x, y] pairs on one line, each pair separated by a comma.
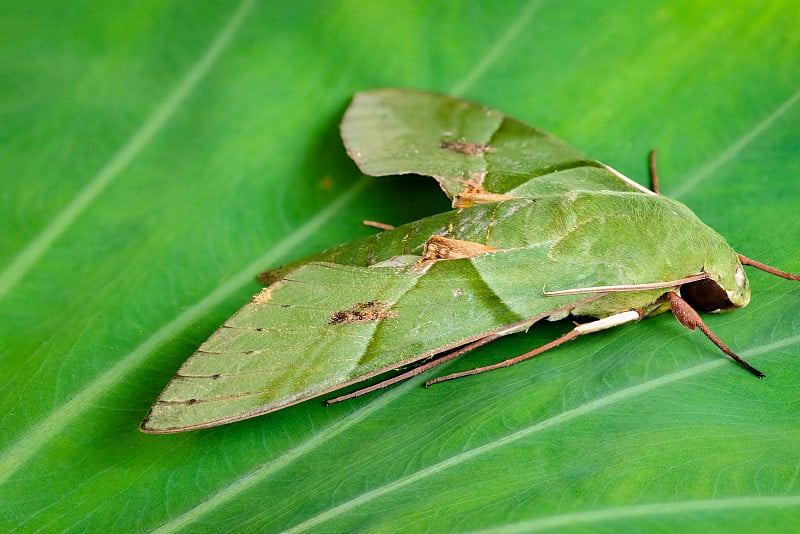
[[725, 289]]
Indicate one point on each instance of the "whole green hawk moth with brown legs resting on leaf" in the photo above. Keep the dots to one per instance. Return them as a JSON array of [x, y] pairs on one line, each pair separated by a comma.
[[534, 235]]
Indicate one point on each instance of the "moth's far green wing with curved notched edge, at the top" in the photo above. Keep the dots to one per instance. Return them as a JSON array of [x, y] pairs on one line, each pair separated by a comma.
[[477, 154]]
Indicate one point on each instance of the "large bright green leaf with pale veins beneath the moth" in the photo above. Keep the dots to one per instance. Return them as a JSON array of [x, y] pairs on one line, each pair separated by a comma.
[[156, 157]]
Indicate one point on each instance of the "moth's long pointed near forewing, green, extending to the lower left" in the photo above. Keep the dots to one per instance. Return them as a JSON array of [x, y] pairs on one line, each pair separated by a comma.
[[321, 327]]
